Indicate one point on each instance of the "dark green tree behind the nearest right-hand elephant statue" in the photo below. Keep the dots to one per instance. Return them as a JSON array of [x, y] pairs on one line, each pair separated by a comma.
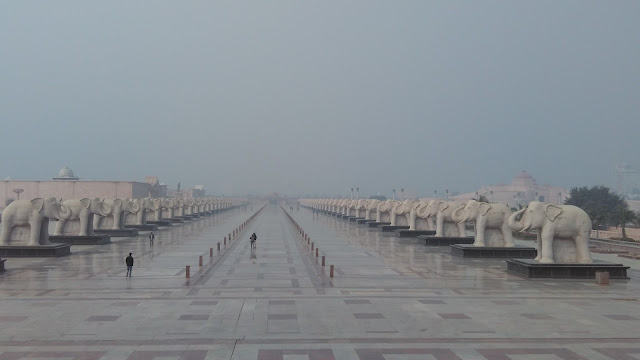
[[602, 205]]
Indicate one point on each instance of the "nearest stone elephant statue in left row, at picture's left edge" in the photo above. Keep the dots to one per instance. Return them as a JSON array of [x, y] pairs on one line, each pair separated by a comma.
[[34, 214]]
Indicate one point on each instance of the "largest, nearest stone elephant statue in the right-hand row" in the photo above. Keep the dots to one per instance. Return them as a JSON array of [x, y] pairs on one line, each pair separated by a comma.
[[563, 231]]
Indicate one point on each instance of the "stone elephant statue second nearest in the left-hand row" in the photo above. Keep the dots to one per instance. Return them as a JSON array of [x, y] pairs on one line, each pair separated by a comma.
[[82, 212]]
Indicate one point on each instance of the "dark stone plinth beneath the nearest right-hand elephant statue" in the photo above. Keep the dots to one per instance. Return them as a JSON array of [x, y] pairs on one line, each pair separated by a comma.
[[532, 269]]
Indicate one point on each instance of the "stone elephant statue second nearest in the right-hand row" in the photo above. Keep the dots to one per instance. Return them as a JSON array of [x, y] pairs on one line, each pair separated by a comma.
[[492, 222]]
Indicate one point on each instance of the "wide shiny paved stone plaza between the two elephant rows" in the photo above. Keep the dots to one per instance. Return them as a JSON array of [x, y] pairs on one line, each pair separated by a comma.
[[391, 298]]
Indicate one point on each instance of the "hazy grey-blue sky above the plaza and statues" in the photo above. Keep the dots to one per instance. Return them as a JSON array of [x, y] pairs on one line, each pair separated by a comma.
[[301, 96]]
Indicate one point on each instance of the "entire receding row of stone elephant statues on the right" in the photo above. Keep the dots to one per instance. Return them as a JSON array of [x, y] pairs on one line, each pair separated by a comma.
[[562, 230]]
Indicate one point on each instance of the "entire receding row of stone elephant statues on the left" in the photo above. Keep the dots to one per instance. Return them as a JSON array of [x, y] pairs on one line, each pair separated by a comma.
[[29, 219]]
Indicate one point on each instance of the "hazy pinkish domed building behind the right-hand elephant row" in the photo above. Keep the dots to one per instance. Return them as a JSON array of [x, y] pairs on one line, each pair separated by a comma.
[[523, 189]]
